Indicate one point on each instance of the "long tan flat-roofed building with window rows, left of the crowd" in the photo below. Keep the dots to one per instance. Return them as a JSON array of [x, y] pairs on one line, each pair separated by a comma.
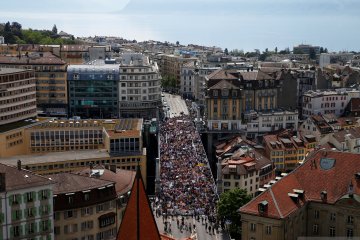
[[55, 146]]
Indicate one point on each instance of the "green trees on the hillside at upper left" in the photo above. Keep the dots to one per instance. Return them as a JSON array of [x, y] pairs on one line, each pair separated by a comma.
[[14, 34]]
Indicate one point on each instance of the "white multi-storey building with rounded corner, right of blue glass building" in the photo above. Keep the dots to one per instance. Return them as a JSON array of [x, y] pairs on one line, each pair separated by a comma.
[[139, 86]]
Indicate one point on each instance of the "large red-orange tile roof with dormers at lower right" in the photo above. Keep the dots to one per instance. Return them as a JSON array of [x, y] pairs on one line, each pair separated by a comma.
[[313, 179]]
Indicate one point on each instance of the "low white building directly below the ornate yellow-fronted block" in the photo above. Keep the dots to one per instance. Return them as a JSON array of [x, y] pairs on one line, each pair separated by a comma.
[[259, 123]]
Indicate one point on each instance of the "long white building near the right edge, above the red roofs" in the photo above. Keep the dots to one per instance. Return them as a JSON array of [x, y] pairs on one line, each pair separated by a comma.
[[328, 101]]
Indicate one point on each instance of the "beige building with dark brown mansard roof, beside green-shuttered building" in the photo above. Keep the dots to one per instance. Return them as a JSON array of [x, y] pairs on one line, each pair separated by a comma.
[[84, 207]]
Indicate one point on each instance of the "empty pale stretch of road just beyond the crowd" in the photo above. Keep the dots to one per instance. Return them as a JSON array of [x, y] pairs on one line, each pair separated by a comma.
[[176, 104]]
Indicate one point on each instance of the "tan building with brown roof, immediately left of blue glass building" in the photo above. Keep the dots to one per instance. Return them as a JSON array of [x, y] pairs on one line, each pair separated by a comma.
[[50, 74]]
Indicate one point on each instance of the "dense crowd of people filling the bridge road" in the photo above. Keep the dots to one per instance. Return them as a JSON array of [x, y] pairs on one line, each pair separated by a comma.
[[187, 184]]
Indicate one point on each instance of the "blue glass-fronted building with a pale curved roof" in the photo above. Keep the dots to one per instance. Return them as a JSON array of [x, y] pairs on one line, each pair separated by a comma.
[[93, 90]]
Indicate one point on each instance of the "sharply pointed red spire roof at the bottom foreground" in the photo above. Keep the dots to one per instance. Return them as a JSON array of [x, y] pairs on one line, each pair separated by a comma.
[[138, 222]]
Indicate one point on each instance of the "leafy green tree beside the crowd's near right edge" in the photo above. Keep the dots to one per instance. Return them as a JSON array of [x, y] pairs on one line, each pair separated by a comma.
[[228, 206]]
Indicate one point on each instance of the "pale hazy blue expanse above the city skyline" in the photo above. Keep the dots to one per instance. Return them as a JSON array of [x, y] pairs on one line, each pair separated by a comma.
[[242, 24]]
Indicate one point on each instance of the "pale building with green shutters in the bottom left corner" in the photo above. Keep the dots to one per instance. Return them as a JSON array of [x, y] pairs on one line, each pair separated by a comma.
[[26, 204]]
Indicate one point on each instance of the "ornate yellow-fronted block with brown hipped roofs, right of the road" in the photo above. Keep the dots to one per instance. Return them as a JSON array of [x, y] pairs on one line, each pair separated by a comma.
[[233, 93]]
